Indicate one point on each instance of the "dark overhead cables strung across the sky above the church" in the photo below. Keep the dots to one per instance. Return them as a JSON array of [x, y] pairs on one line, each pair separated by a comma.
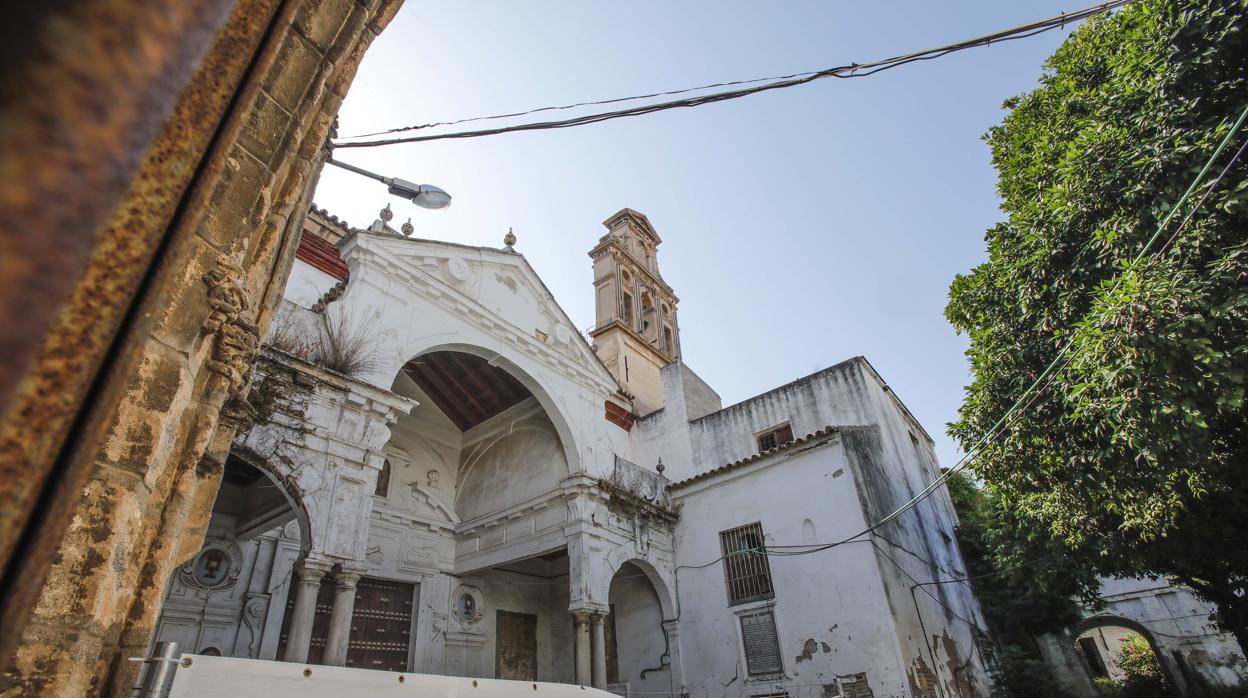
[[846, 72]]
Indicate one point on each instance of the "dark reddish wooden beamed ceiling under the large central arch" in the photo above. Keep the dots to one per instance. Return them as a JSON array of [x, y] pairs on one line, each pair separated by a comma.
[[466, 388]]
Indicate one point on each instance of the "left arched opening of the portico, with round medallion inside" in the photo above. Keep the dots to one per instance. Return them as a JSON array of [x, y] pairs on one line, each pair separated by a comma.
[[229, 599]]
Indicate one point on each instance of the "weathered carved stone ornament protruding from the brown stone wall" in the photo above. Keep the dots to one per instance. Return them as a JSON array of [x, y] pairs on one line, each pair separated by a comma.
[[238, 340]]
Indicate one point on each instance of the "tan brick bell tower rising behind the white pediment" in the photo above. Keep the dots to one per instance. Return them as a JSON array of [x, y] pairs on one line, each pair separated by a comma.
[[637, 333]]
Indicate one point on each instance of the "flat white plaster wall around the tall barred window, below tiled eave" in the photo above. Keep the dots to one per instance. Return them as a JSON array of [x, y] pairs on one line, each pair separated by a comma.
[[836, 599]]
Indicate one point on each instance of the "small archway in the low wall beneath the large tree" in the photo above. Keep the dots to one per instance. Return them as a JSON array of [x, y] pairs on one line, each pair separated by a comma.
[[1124, 655]]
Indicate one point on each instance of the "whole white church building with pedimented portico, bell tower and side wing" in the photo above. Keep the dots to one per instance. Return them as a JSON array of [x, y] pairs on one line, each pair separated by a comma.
[[442, 475]]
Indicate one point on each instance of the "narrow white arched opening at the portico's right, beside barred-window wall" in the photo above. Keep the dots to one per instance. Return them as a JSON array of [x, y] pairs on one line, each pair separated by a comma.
[[638, 655]]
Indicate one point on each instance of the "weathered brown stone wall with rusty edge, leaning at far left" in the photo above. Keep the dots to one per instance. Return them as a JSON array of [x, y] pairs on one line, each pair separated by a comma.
[[152, 444]]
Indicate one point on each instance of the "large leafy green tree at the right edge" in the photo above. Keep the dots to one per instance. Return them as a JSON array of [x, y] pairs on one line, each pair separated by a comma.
[[1136, 458]]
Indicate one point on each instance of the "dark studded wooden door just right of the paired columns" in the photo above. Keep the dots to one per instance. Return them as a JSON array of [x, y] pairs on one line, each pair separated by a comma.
[[381, 626]]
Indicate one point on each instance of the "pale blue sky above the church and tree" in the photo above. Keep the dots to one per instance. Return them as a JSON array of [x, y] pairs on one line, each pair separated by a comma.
[[801, 227]]
